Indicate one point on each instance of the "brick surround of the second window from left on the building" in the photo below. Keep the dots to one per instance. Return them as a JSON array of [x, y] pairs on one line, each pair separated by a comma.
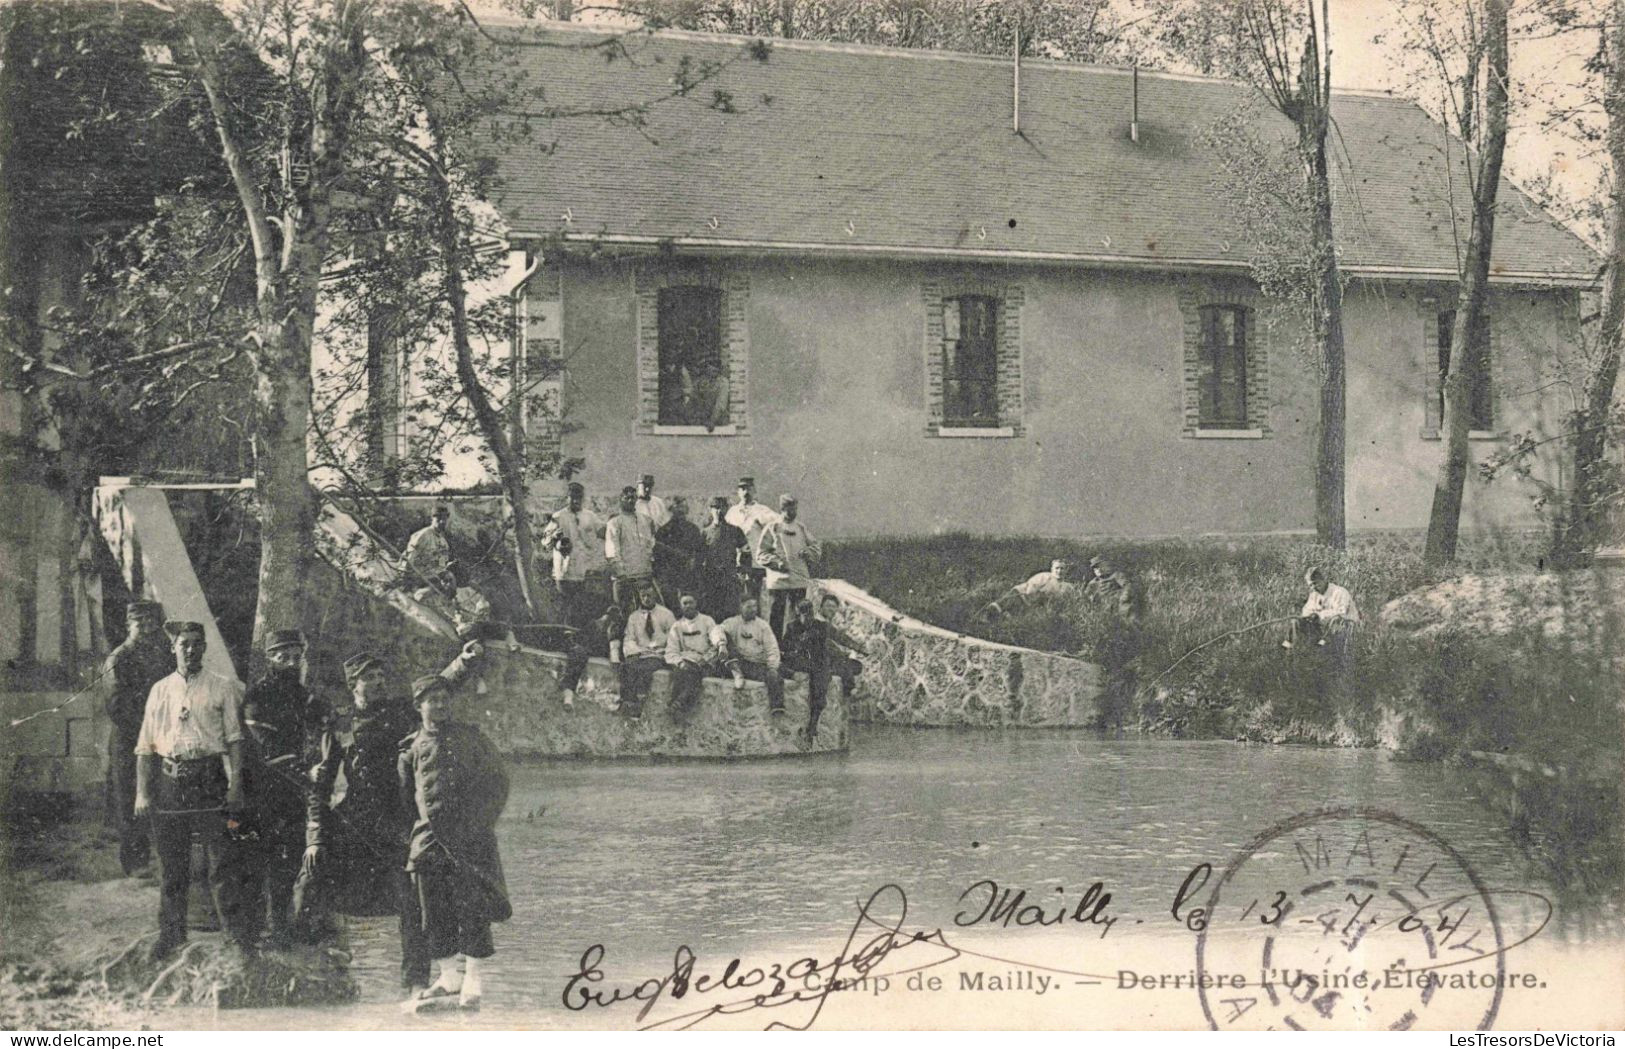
[[1008, 347]]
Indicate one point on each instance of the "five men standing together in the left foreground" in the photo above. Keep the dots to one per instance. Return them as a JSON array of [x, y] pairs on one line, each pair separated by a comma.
[[253, 774]]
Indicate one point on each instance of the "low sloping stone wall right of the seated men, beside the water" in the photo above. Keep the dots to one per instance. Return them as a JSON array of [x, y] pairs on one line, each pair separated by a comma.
[[921, 675]]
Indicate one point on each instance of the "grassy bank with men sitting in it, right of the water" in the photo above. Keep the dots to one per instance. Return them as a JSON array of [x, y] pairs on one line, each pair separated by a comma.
[[1491, 662]]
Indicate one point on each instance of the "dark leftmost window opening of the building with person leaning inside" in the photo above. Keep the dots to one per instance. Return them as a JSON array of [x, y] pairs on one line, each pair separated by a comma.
[[693, 378]]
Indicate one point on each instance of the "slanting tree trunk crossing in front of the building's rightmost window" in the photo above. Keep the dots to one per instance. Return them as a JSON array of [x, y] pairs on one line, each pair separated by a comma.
[[1471, 303]]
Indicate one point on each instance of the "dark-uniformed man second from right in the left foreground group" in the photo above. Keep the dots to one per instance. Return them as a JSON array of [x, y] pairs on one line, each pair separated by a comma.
[[355, 858]]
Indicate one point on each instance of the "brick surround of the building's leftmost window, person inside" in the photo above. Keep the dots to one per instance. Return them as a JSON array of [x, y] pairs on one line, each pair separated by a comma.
[[735, 345]]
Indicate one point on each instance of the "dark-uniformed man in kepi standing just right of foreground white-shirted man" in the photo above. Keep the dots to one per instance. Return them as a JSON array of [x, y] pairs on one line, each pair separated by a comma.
[[285, 727]]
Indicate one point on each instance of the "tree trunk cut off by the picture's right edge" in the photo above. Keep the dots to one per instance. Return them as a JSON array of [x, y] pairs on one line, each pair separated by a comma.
[[1595, 490]]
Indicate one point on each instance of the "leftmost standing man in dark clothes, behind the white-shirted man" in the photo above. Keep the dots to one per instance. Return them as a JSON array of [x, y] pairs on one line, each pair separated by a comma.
[[134, 668]]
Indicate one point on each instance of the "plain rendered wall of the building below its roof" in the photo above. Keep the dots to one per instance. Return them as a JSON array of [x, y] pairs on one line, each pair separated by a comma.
[[838, 405]]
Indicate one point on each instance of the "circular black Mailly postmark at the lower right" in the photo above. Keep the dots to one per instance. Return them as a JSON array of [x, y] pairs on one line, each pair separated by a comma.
[[1350, 920]]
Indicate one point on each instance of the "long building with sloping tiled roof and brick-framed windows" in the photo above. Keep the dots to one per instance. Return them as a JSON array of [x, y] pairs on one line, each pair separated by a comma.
[[859, 275]]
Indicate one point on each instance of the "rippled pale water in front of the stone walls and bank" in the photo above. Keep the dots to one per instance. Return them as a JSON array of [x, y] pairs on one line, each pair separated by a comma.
[[771, 858]]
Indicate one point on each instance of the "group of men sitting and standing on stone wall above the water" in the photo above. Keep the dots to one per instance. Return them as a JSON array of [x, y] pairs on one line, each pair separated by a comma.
[[651, 590]]
